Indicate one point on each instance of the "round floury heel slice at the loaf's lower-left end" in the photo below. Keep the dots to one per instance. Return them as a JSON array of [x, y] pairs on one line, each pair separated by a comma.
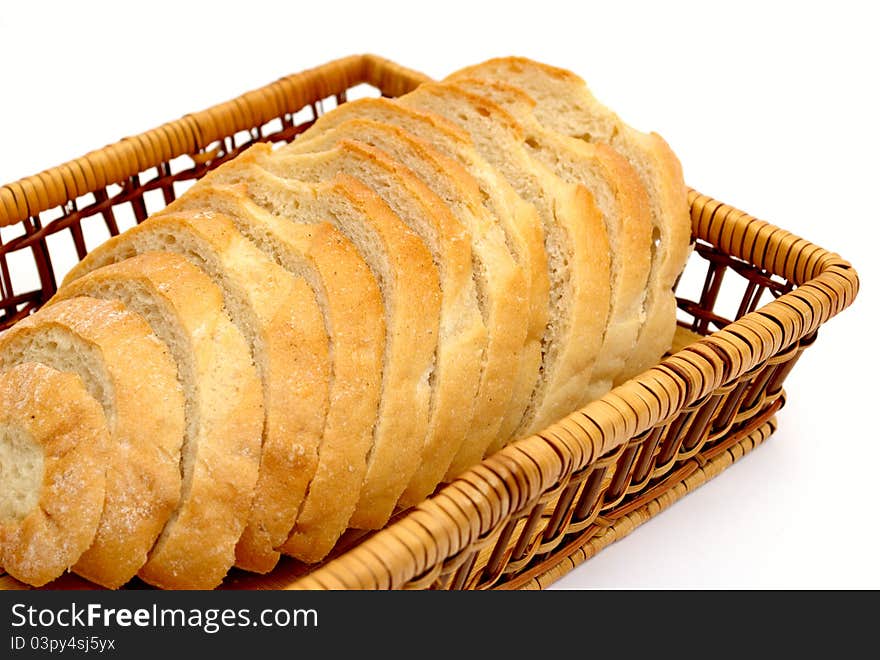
[[54, 448]]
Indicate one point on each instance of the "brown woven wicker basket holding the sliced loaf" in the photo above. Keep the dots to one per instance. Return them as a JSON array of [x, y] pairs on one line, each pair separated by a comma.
[[529, 513]]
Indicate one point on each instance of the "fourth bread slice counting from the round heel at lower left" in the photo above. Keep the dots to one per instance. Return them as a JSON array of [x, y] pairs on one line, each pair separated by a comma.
[[278, 315]]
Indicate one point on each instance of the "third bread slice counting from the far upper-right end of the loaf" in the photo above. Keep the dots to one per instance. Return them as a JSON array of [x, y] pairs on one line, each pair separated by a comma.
[[574, 237]]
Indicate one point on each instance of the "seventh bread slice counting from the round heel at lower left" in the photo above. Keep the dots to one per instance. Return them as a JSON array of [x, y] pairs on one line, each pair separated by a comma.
[[463, 334]]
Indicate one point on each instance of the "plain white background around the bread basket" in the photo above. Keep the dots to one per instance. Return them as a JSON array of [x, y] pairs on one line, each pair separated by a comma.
[[771, 108]]
